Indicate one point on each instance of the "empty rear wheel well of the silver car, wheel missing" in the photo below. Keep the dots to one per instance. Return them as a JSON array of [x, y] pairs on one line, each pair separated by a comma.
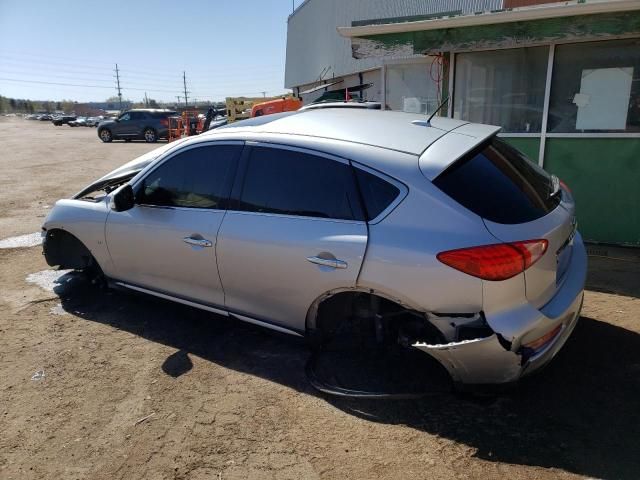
[[365, 317]]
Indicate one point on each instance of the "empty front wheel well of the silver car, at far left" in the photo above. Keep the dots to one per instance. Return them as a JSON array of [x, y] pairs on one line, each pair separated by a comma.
[[63, 249]]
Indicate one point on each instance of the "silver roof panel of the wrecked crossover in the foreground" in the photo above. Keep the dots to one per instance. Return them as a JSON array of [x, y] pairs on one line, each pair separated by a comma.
[[403, 132]]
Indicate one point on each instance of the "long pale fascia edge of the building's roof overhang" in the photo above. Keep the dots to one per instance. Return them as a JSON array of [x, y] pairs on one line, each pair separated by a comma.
[[541, 12]]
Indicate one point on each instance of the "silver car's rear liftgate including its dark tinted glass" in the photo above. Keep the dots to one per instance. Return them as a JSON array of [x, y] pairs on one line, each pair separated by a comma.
[[518, 201]]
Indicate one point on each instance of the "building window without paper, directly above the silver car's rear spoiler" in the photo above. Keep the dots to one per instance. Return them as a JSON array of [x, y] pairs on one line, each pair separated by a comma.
[[502, 87]]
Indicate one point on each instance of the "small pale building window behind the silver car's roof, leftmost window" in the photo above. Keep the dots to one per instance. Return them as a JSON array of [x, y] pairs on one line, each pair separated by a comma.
[[410, 88]]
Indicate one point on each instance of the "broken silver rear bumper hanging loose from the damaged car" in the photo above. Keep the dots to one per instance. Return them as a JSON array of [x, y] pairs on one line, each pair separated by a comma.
[[498, 360]]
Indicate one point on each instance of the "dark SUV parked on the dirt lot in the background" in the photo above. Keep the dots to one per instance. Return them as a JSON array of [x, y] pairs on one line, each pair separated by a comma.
[[140, 124]]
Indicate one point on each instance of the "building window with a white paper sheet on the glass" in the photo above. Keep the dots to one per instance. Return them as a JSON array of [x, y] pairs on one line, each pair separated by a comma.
[[596, 88]]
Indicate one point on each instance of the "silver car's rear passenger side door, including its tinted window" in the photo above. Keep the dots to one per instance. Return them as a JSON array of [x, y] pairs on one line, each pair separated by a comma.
[[295, 232]]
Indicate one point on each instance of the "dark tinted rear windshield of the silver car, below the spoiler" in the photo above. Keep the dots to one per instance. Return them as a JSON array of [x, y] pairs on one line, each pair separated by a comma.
[[499, 183]]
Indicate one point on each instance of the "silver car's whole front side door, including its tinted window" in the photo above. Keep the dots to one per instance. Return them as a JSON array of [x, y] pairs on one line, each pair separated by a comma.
[[167, 241]]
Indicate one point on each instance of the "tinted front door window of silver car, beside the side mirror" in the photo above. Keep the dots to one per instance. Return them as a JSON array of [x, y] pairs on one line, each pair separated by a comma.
[[196, 178]]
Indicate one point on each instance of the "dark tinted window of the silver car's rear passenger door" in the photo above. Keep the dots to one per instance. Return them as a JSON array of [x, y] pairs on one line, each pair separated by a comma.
[[294, 183]]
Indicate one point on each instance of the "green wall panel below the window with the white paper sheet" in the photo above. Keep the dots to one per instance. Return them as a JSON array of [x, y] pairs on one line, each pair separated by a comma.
[[604, 176]]
